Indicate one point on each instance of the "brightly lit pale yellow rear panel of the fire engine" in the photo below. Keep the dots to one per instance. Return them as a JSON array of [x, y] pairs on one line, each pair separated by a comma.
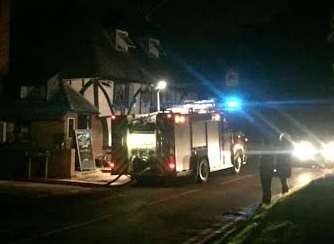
[[141, 140]]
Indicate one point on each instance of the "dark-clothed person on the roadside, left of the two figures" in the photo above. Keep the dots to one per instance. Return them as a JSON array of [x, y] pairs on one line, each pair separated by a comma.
[[266, 170]]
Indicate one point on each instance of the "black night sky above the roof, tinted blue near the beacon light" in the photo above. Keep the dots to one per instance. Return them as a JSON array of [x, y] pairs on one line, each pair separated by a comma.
[[279, 49]]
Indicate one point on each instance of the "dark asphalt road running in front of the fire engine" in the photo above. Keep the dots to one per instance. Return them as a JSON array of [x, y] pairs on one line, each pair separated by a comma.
[[179, 213]]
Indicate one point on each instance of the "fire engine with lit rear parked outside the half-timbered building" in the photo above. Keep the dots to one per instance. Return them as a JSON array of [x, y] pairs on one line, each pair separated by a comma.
[[189, 140]]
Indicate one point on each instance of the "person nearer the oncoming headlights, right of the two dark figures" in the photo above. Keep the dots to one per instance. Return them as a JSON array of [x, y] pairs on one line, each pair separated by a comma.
[[283, 161]]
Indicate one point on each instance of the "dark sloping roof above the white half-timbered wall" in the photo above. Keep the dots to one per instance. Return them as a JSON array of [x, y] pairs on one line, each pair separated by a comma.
[[104, 61]]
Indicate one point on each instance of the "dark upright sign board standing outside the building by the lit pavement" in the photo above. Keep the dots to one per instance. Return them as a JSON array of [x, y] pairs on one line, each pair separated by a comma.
[[84, 143]]
